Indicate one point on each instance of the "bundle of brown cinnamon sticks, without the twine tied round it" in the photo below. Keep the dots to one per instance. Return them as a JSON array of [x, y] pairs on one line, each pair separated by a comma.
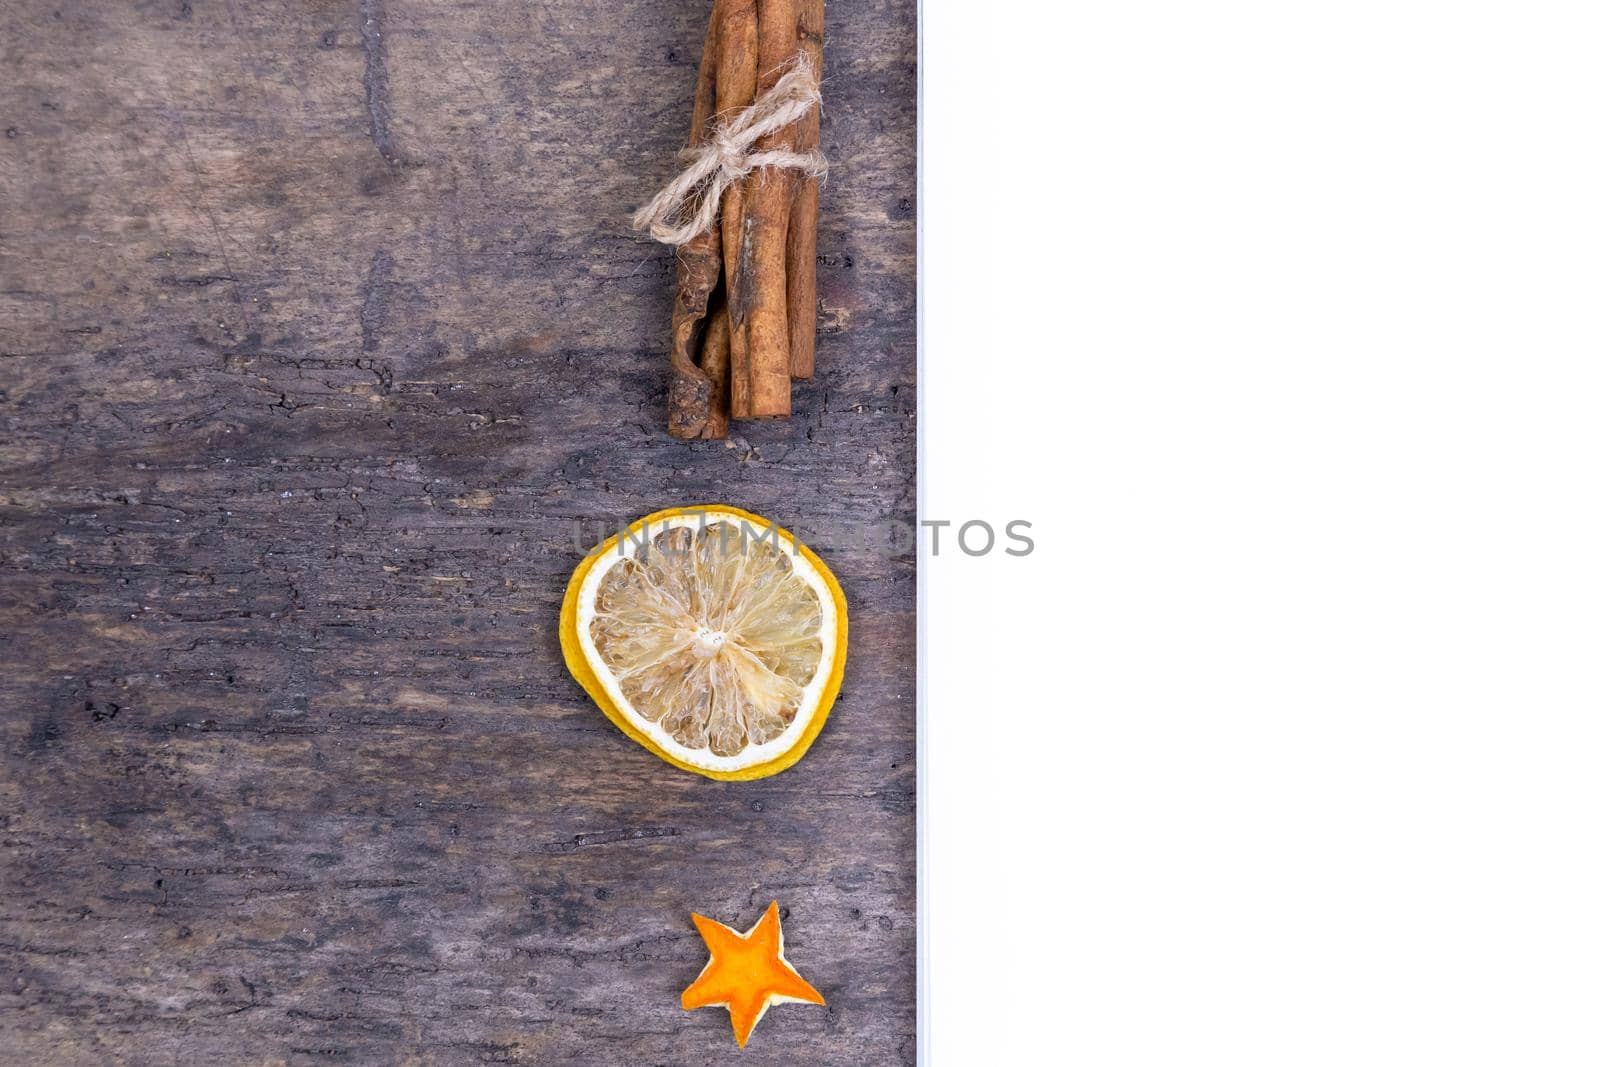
[[745, 318]]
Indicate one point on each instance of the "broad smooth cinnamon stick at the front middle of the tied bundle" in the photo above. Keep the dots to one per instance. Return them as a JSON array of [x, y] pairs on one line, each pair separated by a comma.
[[769, 194]]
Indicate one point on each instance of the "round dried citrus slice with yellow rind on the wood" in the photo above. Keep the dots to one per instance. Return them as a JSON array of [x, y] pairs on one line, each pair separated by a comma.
[[711, 637]]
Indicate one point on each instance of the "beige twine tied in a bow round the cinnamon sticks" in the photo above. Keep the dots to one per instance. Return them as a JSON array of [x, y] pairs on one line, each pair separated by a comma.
[[726, 158]]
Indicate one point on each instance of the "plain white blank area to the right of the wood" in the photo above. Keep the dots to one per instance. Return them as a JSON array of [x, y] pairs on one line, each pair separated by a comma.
[[1281, 324]]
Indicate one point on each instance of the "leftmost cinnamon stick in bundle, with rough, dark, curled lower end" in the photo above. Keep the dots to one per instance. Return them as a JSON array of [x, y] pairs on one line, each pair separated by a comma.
[[690, 398]]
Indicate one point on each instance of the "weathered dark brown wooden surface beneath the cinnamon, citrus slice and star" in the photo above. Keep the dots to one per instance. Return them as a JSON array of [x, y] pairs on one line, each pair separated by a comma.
[[321, 327]]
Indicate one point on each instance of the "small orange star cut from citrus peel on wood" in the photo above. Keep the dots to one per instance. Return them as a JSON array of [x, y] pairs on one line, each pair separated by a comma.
[[746, 973]]
